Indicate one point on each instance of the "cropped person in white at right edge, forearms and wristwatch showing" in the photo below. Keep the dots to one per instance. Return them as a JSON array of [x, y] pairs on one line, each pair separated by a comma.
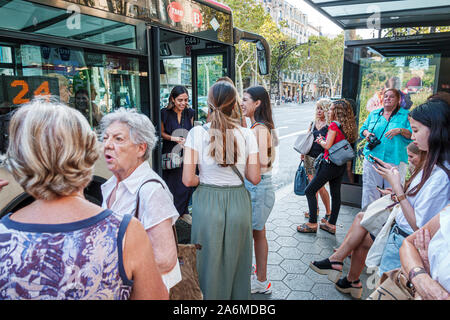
[[425, 257]]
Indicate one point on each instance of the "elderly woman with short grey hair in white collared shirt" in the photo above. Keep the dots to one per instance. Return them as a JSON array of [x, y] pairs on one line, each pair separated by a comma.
[[128, 139]]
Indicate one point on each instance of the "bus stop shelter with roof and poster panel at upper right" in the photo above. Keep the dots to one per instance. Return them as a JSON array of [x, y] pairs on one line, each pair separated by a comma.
[[416, 60]]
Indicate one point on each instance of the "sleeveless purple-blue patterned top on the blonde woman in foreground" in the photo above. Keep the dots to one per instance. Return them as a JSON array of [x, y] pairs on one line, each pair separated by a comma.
[[79, 260]]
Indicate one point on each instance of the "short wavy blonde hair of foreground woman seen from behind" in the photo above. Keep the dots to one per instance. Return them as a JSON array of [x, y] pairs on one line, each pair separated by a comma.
[[52, 149]]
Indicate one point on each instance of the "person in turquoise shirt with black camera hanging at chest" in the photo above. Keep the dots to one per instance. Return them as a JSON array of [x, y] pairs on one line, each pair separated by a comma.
[[387, 132]]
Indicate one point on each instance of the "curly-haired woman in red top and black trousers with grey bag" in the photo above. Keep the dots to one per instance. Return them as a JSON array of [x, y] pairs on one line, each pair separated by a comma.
[[342, 126]]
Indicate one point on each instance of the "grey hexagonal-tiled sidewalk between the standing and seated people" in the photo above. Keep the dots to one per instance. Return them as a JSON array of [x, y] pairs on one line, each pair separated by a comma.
[[290, 252]]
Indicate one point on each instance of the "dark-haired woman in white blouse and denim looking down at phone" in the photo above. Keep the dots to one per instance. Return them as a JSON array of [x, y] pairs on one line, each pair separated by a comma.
[[428, 191]]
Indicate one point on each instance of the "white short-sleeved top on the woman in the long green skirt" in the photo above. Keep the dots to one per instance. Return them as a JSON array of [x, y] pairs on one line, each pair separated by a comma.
[[198, 139]]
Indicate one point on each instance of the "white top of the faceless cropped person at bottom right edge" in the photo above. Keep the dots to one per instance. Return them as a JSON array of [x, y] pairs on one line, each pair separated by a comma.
[[439, 251]]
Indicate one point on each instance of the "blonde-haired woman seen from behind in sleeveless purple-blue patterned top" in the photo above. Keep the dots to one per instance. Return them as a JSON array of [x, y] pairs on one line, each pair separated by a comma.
[[62, 246]]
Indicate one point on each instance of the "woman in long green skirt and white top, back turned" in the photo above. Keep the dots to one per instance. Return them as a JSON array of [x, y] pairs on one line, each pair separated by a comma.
[[225, 152]]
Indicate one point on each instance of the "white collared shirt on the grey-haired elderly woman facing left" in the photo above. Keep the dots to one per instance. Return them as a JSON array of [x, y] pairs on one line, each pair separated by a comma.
[[155, 205]]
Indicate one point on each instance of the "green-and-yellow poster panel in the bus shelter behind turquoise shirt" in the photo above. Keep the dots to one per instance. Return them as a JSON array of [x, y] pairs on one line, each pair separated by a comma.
[[414, 76]]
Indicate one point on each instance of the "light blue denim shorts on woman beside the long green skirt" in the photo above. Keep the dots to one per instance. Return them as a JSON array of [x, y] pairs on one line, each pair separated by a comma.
[[263, 199]]
